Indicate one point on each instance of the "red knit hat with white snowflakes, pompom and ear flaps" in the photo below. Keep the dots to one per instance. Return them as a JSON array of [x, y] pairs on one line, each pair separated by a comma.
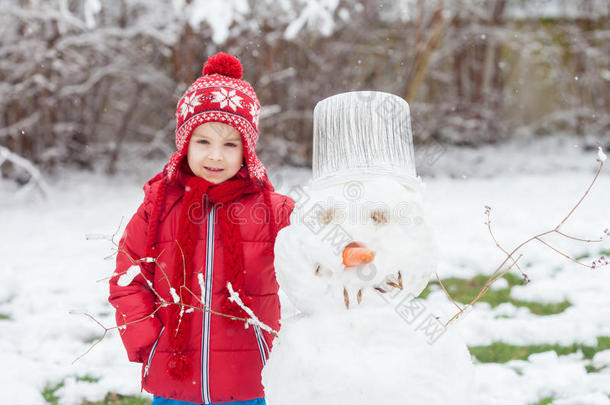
[[219, 96]]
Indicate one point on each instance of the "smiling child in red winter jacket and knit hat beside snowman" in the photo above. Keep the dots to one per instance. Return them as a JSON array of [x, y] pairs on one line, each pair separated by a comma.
[[211, 217]]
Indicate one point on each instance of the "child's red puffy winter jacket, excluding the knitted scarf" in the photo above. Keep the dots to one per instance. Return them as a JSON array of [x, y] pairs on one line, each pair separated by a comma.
[[227, 358]]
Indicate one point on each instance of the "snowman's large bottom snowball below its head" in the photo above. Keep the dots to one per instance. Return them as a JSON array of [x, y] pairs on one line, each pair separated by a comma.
[[365, 356]]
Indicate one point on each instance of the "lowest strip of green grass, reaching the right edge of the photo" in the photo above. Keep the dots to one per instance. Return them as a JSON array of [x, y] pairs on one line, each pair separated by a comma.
[[499, 352]]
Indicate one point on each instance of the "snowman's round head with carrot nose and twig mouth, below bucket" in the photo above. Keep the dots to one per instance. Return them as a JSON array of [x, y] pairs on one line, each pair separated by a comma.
[[351, 241]]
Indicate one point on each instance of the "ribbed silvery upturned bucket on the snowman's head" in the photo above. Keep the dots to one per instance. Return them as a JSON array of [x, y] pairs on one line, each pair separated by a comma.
[[363, 133]]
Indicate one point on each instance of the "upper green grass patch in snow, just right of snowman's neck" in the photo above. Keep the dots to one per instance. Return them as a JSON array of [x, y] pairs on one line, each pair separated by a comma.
[[464, 290]]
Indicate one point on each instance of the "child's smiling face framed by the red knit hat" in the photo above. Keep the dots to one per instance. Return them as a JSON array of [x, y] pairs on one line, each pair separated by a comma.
[[215, 152]]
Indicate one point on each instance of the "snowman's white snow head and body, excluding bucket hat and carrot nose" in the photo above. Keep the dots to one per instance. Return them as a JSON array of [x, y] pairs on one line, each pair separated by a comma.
[[380, 350]]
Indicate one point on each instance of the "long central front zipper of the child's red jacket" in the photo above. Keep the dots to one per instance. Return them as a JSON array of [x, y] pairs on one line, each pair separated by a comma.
[[205, 333]]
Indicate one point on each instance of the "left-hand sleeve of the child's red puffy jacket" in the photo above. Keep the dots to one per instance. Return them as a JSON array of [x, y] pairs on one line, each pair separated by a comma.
[[134, 300]]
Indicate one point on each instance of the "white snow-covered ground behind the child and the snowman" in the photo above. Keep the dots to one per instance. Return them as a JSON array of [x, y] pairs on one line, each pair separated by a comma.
[[49, 269]]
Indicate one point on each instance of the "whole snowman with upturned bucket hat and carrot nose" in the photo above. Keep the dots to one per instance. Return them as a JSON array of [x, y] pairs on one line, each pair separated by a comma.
[[356, 255]]
